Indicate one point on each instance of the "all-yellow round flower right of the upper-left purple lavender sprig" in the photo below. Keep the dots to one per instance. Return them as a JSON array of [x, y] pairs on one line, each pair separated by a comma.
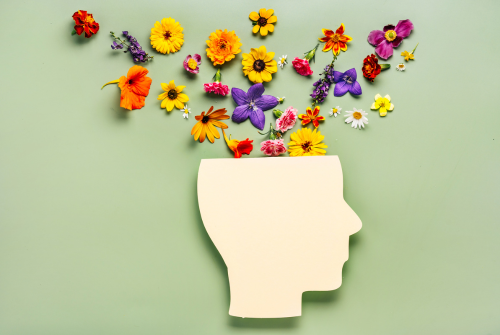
[[167, 36]]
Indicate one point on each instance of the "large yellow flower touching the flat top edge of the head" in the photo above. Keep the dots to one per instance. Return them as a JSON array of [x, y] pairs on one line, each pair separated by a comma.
[[306, 143]]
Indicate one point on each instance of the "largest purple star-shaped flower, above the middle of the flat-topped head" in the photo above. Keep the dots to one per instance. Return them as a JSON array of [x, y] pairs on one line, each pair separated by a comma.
[[252, 105]]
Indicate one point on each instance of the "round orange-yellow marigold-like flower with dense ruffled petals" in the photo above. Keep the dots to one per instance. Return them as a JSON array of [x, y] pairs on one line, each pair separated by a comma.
[[222, 46]]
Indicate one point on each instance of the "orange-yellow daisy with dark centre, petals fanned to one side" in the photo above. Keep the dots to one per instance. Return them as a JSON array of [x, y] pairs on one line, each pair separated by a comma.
[[206, 124]]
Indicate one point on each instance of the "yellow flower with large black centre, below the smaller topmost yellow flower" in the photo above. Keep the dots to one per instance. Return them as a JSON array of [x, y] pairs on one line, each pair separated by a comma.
[[259, 64]]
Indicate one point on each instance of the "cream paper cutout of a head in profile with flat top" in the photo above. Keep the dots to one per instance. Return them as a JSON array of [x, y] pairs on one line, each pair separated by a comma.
[[280, 224]]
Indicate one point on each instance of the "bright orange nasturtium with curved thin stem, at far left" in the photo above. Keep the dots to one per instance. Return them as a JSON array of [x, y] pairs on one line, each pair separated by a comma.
[[134, 87]]
